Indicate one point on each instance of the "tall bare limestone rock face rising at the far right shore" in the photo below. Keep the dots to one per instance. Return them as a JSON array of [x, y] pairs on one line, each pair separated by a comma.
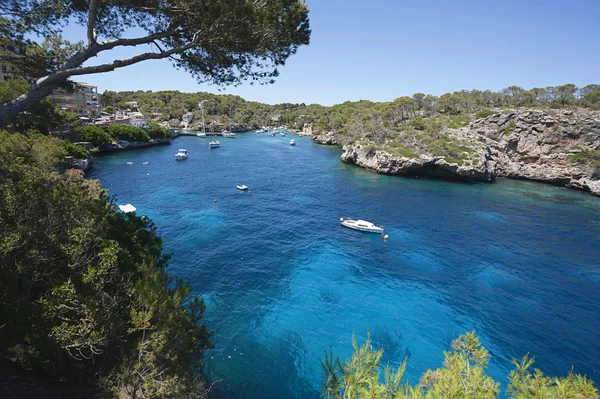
[[534, 145]]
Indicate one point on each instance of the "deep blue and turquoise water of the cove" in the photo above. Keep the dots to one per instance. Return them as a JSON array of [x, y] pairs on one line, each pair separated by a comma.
[[519, 262]]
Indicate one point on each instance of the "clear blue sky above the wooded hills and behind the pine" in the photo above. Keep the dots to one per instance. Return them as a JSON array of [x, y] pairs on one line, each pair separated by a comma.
[[383, 49]]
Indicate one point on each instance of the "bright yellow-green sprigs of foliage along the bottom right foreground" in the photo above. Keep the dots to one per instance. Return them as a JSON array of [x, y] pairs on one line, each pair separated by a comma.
[[462, 376]]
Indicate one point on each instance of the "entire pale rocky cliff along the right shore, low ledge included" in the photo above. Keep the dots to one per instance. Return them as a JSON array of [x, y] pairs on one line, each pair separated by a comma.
[[555, 146]]
